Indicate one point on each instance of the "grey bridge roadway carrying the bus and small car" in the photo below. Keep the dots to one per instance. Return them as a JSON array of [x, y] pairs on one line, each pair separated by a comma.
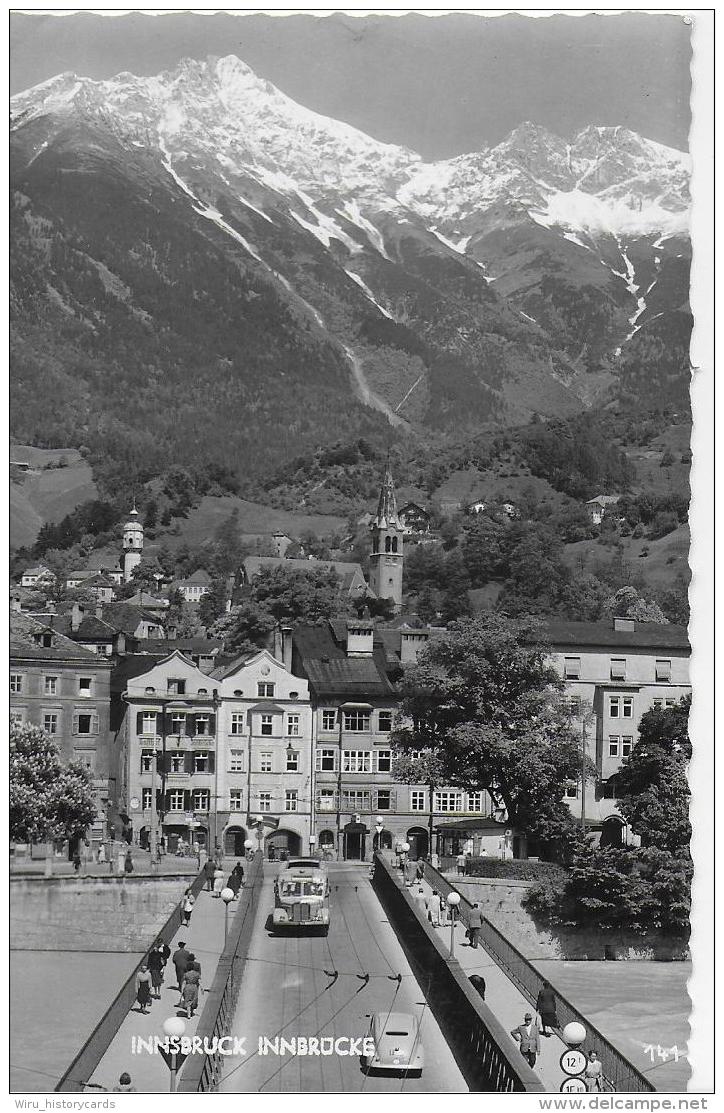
[[287, 992]]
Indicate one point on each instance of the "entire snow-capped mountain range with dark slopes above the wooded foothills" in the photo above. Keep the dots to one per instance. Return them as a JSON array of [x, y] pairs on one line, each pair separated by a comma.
[[247, 257]]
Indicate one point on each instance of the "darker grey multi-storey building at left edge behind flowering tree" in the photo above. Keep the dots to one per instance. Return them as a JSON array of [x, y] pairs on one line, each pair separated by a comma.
[[64, 688]]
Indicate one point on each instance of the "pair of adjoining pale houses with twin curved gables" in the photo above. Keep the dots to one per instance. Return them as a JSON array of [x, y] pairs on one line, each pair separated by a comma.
[[226, 756]]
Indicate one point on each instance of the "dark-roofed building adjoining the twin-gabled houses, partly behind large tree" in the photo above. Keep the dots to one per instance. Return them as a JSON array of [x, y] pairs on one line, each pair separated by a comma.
[[351, 666]]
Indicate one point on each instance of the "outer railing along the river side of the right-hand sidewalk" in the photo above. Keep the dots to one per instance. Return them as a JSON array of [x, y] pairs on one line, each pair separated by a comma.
[[620, 1075]]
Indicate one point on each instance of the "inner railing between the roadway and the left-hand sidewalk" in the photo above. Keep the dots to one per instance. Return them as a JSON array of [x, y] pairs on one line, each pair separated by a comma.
[[202, 1072]]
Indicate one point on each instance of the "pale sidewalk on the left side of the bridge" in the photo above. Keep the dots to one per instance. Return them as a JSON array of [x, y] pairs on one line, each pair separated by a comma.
[[149, 1072]]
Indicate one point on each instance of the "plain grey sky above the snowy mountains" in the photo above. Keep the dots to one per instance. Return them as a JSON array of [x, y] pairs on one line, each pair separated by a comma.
[[442, 86]]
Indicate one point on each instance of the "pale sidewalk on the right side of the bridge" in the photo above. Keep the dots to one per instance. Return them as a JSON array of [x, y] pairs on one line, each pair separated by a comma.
[[504, 999]]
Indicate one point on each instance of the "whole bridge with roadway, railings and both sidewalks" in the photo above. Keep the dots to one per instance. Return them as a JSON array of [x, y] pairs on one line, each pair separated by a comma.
[[381, 957]]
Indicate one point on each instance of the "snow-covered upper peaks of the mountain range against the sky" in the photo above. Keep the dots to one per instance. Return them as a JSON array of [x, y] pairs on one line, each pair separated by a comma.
[[219, 113]]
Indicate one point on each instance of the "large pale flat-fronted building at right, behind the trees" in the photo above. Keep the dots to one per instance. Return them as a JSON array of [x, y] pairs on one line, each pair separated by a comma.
[[614, 673]]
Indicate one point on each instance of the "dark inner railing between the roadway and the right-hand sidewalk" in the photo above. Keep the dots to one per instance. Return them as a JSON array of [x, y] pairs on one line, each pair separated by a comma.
[[488, 1059]]
